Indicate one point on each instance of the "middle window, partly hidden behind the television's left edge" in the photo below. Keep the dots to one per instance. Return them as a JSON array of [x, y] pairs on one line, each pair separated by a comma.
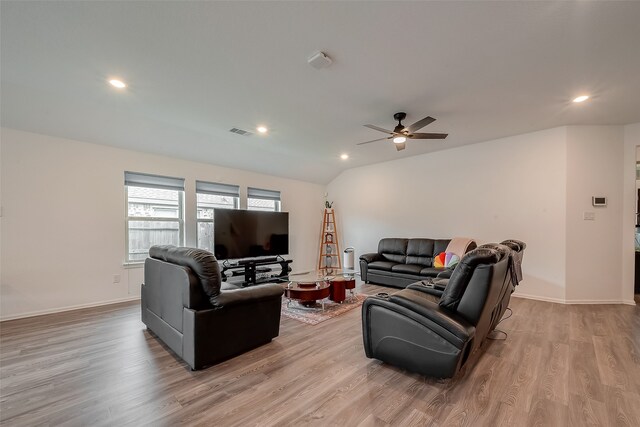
[[211, 195]]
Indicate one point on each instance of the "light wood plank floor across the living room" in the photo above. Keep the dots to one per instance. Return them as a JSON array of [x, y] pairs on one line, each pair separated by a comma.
[[559, 365]]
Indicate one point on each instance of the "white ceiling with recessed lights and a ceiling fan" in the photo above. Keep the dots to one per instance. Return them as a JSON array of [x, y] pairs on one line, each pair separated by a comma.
[[484, 70]]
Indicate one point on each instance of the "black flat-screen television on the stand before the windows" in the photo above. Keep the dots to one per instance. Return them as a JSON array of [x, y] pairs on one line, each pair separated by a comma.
[[247, 234]]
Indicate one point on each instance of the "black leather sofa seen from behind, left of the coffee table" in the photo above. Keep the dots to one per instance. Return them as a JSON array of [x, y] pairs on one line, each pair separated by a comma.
[[185, 305]]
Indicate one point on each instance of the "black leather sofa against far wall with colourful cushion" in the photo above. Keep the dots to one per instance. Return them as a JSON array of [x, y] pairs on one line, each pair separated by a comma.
[[400, 262]]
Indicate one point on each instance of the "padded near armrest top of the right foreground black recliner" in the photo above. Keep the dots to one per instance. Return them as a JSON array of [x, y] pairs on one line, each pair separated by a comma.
[[418, 302]]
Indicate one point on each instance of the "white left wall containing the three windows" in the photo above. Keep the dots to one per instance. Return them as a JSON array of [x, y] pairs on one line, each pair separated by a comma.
[[63, 225]]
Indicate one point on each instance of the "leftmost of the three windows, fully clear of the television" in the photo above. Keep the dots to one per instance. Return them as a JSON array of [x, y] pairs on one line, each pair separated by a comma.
[[155, 213]]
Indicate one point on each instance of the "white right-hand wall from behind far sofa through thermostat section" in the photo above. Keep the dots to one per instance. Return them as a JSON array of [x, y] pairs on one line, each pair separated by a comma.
[[532, 187]]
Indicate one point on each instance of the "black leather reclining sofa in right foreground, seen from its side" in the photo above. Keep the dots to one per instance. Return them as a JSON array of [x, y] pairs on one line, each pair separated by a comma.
[[433, 332]]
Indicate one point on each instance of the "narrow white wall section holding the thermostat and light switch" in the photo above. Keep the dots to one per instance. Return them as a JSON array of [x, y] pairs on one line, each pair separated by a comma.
[[594, 168]]
